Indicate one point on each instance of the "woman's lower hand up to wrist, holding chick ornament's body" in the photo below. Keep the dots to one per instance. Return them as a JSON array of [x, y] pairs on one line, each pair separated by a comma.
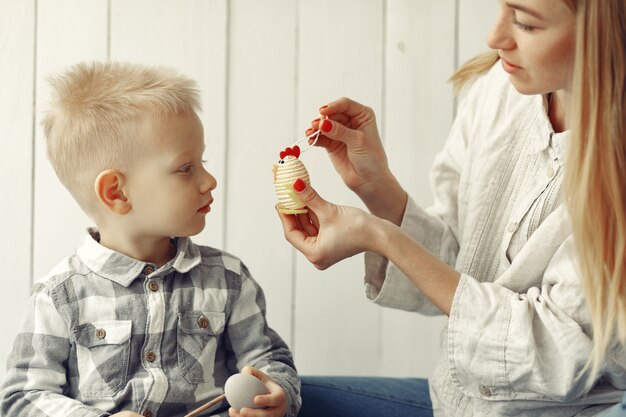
[[329, 233]]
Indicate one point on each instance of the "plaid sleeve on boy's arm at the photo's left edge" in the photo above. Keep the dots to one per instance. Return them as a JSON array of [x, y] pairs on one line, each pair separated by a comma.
[[36, 375]]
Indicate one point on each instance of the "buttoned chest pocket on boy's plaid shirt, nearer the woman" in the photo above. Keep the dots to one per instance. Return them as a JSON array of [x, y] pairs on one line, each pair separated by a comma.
[[197, 339]]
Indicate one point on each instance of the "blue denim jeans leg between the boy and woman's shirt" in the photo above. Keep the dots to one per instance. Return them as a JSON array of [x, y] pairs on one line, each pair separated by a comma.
[[344, 396]]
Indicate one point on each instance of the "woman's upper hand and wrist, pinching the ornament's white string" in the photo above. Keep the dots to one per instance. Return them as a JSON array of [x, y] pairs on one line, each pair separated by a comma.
[[350, 135]]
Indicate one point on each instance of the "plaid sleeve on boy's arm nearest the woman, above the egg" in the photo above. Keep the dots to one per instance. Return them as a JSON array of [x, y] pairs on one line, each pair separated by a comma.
[[254, 343]]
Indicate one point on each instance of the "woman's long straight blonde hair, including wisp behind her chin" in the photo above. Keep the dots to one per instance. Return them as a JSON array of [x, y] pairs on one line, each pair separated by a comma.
[[595, 180]]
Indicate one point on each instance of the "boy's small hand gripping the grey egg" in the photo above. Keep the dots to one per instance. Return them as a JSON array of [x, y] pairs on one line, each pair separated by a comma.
[[275, 402]]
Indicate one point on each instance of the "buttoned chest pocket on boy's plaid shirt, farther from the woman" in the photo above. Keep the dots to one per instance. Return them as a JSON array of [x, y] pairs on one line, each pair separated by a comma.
[[103, 353]]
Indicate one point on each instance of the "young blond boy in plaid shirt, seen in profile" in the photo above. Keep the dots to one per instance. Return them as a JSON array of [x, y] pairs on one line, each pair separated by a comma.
[[140, 321]]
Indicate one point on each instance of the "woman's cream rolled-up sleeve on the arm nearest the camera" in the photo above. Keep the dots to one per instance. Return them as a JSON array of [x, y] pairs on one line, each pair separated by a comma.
[[528, 343]]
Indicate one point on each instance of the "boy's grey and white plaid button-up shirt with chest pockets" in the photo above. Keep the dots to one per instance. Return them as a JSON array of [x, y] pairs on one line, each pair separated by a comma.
[[104, 332]]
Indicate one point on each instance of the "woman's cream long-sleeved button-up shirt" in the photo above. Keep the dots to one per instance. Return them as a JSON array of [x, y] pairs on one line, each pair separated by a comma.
[[518, 336]]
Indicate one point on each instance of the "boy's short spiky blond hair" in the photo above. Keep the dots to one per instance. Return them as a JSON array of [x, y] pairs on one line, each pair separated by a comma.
[[92, 122]]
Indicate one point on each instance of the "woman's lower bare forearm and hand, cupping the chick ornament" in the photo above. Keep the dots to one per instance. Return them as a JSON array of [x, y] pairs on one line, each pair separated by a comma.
[[330, 233]]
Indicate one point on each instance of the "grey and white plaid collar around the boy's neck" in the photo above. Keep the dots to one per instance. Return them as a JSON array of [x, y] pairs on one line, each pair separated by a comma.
[[123, 269]]
